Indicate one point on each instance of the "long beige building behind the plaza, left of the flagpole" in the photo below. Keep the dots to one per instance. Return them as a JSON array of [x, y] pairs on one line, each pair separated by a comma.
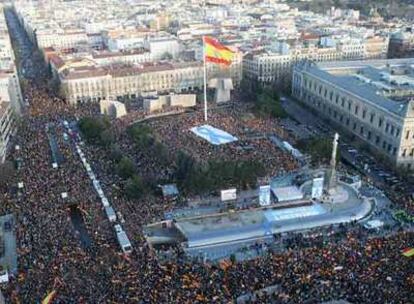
[[84, 81]]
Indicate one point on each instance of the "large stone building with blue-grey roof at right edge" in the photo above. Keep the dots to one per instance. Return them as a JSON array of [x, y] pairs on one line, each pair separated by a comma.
[[372, 100]]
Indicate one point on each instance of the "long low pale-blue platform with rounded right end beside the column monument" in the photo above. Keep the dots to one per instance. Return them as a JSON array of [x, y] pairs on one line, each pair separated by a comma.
[[205, 231]]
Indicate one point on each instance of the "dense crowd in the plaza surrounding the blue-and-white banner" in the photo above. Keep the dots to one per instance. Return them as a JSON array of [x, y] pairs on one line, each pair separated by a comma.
[[253, 143]]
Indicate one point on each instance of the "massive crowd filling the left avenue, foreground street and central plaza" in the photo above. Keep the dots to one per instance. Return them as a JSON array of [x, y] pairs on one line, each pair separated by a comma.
[[51, 255]]
